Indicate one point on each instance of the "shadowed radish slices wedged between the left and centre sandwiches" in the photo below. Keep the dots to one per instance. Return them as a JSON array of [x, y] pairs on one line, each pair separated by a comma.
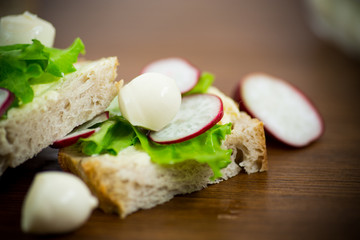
[[83, 131]]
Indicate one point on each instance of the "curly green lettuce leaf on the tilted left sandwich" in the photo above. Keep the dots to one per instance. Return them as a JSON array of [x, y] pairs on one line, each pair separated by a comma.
[[23, 65]]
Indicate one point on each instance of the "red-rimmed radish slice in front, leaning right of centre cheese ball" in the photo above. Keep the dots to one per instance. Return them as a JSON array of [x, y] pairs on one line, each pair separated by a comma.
[[197, 114]]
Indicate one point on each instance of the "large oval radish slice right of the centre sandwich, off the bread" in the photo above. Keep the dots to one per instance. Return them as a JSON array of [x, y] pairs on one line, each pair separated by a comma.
[[287, 114]]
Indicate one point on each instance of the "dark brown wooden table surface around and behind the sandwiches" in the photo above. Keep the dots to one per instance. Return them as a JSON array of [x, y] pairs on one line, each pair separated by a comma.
[[308, 193]]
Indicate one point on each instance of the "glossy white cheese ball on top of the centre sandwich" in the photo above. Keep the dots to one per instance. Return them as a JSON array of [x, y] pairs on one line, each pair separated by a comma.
[[150, 100]]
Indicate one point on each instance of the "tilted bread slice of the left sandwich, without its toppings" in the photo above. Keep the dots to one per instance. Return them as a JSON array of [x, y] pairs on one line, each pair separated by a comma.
[[56, 109]]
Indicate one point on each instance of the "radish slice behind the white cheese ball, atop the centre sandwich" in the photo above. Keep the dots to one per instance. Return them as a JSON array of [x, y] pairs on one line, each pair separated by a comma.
[[184, 73]]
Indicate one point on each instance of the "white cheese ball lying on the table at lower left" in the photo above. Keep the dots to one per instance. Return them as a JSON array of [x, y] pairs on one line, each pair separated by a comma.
[[57, 202]]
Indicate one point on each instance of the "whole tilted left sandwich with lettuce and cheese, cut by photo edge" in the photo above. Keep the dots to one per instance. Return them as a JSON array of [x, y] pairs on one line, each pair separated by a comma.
[[45, 92]]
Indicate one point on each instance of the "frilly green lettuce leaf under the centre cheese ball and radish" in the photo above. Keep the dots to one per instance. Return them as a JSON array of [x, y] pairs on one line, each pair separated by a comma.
[[117, 133]]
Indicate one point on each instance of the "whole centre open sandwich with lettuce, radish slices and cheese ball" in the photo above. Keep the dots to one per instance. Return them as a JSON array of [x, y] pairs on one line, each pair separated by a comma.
[[152, 148]]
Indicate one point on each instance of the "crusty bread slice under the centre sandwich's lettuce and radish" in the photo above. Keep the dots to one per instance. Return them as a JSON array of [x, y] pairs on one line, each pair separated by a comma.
[[131, 181]]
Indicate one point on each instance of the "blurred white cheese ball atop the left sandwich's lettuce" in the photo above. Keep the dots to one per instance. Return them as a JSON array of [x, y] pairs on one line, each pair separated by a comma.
[[15, 29]]
